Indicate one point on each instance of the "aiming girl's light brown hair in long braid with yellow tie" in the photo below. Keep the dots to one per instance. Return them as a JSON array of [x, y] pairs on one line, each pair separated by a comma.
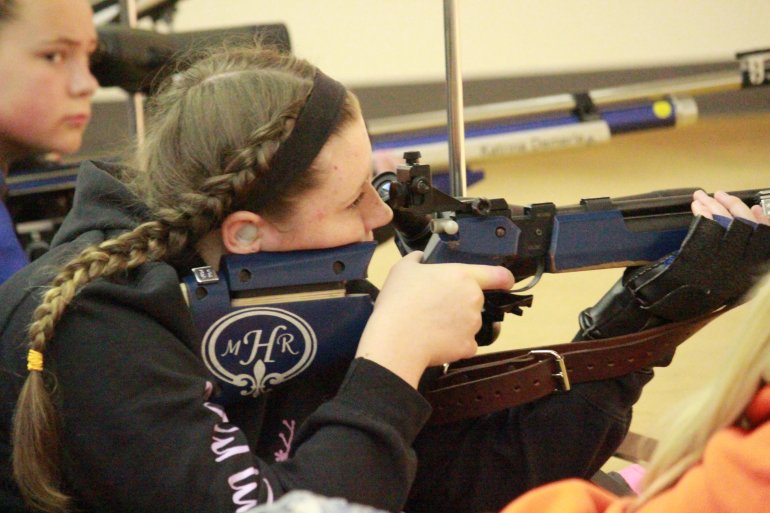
[[213, 128]]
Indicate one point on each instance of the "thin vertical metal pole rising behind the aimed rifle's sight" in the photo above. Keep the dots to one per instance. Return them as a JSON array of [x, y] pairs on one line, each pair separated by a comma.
[[456, 123]]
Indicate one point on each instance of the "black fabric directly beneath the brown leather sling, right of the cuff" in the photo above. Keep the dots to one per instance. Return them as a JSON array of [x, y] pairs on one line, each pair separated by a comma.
[[480, 465]]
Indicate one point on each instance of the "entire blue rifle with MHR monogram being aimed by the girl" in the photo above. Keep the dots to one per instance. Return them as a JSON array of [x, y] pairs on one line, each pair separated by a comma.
[[265, 318]]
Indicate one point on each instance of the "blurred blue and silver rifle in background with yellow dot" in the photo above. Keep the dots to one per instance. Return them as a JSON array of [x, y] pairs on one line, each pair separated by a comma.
[[564, 120]]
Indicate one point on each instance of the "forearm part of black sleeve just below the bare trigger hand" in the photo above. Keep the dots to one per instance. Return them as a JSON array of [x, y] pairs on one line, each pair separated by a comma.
[[358, 446]]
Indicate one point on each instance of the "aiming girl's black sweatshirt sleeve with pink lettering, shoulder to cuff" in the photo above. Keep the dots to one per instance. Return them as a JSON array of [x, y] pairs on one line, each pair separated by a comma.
[[139, 435]]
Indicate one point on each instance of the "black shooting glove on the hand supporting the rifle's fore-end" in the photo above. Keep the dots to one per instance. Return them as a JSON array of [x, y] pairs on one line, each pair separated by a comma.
[[718, 262]]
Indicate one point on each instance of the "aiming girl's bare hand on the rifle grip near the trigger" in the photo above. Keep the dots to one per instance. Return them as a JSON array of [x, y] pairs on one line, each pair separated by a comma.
[[428, 314]]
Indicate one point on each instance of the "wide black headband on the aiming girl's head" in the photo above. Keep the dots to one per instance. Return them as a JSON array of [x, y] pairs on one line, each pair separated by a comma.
[[314, 125]]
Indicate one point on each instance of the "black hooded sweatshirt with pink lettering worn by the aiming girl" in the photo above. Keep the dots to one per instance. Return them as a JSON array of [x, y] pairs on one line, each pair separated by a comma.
[[139, 432]]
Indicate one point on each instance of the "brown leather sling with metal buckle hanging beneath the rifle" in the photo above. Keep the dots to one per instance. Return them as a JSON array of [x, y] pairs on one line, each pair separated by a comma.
[[496, 381]]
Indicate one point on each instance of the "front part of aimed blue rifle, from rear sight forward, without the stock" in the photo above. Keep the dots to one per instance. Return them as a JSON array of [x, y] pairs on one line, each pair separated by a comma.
[[530, 240]]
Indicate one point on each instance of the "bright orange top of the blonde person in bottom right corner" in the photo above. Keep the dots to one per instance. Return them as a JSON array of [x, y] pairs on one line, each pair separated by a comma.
[[733, 477]]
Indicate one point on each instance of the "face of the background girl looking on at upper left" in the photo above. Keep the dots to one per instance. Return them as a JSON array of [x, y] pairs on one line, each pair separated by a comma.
[[45, 98]]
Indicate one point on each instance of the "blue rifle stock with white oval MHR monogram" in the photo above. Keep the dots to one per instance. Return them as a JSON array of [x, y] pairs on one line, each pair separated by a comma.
[[265, 318]]
